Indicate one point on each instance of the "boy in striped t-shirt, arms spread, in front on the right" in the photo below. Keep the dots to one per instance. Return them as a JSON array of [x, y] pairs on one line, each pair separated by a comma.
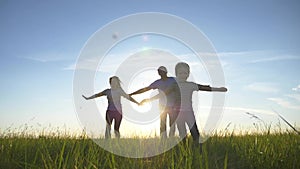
[[183, 91]]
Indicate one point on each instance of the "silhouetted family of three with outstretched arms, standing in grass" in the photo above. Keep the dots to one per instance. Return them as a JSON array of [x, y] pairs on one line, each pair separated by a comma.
[[175, 100]]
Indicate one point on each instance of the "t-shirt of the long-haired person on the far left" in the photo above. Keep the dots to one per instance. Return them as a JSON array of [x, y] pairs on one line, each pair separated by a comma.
[[114, 98]]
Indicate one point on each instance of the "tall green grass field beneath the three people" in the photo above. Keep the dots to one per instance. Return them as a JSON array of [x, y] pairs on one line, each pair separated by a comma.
[[276, 150]]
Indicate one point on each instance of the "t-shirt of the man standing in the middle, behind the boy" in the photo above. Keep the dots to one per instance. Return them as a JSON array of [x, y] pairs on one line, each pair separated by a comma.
[[162, 86]]
